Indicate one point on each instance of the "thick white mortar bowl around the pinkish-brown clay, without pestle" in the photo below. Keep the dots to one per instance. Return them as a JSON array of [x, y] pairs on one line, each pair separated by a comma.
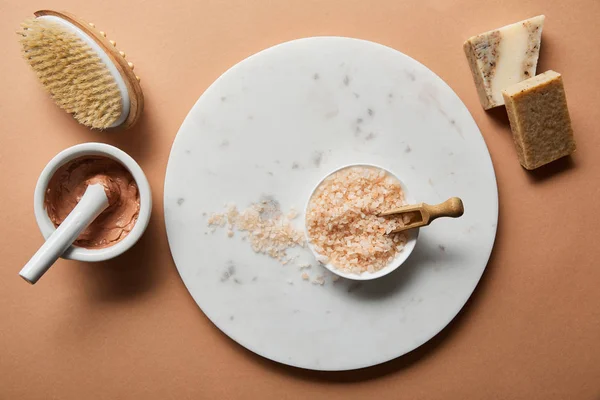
[[94, 149]]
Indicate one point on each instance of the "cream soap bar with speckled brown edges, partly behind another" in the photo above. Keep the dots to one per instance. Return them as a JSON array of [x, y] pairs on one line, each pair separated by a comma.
[[503, 57]]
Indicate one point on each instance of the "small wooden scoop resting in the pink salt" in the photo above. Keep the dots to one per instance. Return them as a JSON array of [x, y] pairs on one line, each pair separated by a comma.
[[423, 214]]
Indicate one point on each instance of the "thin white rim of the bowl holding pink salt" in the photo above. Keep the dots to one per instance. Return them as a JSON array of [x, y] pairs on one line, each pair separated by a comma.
[[411, 235]]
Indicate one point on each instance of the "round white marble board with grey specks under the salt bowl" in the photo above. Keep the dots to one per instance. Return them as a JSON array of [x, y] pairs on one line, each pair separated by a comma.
[[274, 125]]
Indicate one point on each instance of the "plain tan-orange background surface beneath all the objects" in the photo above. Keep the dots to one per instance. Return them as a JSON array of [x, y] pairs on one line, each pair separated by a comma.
[[128, 329]]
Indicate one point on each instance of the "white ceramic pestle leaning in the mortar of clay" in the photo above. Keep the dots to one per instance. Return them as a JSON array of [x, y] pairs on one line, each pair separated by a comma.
[[92, 203]]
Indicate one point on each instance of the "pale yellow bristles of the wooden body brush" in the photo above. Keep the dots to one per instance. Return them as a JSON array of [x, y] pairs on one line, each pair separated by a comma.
[[71, 71]]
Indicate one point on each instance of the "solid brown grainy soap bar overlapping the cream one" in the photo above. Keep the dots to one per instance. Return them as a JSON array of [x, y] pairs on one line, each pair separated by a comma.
[[539, 119]]
